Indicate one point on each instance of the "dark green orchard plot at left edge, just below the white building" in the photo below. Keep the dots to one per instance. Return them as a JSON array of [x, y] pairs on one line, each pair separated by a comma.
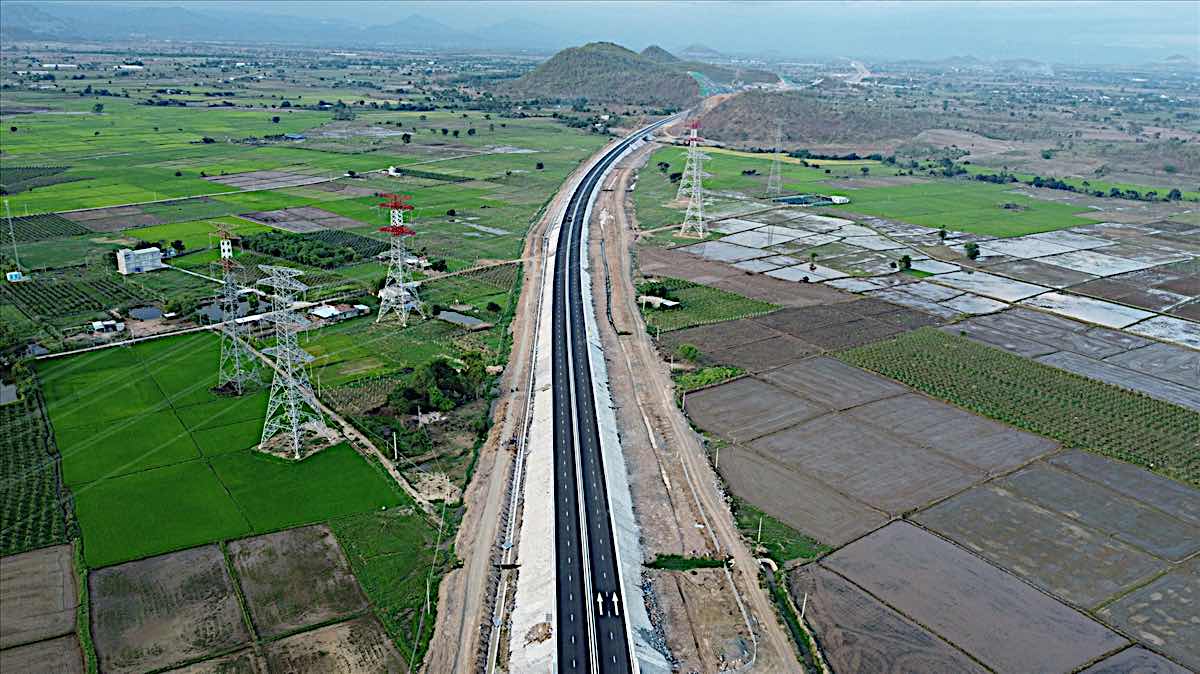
[[58, 297]]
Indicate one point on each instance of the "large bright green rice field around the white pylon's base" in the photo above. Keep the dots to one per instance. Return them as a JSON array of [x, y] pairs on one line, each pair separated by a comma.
[[158, 462]]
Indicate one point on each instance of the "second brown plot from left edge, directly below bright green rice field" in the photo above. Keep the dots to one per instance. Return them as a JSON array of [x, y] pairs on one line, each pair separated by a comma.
[[172, 609]]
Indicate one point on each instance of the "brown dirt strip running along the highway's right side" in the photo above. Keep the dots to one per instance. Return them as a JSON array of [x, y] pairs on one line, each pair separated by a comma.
[[711, 621]]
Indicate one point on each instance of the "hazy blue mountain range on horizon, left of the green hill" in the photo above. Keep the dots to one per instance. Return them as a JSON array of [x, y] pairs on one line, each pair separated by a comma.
[[75, 22]]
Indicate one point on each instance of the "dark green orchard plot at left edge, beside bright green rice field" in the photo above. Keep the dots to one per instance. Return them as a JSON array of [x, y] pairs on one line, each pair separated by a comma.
[[32, 509]]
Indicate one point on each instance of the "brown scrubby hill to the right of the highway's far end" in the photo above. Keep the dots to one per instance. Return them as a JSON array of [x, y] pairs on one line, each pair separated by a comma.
[[814, 121]]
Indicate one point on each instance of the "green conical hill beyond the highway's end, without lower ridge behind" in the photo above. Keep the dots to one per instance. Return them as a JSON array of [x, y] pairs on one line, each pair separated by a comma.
[[607, 73]]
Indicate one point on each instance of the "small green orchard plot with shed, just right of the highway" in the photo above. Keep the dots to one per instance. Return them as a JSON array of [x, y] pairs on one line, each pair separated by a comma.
[[699, 305]]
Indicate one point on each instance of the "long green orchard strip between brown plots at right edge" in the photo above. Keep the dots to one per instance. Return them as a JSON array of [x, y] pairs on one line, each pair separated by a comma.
[[1076, 411]]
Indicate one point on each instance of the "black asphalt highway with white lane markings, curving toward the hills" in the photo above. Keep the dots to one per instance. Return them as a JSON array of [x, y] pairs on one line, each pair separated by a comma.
[[592, 634]]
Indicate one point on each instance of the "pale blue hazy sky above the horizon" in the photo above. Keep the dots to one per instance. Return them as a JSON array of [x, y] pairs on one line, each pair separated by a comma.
[[1081, 32]]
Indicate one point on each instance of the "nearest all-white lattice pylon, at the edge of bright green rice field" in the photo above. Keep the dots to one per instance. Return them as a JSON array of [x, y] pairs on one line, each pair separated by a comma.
[[293, 405]]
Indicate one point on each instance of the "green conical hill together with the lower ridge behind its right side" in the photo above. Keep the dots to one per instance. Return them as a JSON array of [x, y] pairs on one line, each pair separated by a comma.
[[611, 74]]
